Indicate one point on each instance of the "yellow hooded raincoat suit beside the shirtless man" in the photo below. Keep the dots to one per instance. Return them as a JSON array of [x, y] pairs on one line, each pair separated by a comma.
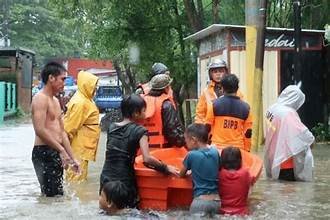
[[81, 123]]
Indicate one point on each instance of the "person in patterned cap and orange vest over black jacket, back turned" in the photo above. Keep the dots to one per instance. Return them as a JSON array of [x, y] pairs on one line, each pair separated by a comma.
[[164, 128]]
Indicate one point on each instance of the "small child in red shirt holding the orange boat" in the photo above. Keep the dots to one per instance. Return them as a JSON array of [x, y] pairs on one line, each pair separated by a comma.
[[235, 183]]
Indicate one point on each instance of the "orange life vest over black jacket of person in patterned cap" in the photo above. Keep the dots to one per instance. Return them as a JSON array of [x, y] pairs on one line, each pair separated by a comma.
[[153, 121]]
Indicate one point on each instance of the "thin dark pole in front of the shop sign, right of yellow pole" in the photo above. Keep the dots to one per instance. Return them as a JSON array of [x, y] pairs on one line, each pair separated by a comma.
[[297, 41]]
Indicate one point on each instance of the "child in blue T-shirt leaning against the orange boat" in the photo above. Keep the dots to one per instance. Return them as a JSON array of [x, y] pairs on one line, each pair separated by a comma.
[[204, 162]]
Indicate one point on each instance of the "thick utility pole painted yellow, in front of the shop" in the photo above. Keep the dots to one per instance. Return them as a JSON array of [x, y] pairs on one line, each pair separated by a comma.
[[255, 19]]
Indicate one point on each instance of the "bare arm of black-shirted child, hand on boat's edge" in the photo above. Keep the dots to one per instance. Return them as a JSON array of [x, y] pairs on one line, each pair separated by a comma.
[[152, 161]]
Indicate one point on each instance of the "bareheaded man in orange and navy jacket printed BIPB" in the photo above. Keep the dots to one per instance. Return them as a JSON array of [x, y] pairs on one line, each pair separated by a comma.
[[230, 117]]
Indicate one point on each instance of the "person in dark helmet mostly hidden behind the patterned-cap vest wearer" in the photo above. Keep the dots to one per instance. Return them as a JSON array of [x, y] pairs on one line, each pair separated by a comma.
[[156, 69]]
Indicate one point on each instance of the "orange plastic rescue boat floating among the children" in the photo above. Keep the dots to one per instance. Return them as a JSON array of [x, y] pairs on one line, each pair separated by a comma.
[[160, 192]]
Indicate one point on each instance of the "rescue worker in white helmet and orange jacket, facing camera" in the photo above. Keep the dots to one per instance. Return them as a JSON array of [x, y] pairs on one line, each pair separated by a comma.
[[217, 69]]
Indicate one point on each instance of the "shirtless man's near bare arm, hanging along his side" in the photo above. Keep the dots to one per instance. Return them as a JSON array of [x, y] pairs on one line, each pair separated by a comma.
[[39, 113]]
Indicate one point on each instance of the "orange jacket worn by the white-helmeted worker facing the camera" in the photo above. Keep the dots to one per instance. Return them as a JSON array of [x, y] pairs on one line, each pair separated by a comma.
[[205, 102]]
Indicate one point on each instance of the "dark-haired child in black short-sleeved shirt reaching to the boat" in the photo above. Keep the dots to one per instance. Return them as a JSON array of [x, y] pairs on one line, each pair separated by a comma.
[[124, 140]]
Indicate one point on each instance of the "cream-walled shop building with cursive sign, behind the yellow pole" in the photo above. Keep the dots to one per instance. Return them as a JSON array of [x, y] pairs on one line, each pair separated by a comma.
[[228, 43]]
